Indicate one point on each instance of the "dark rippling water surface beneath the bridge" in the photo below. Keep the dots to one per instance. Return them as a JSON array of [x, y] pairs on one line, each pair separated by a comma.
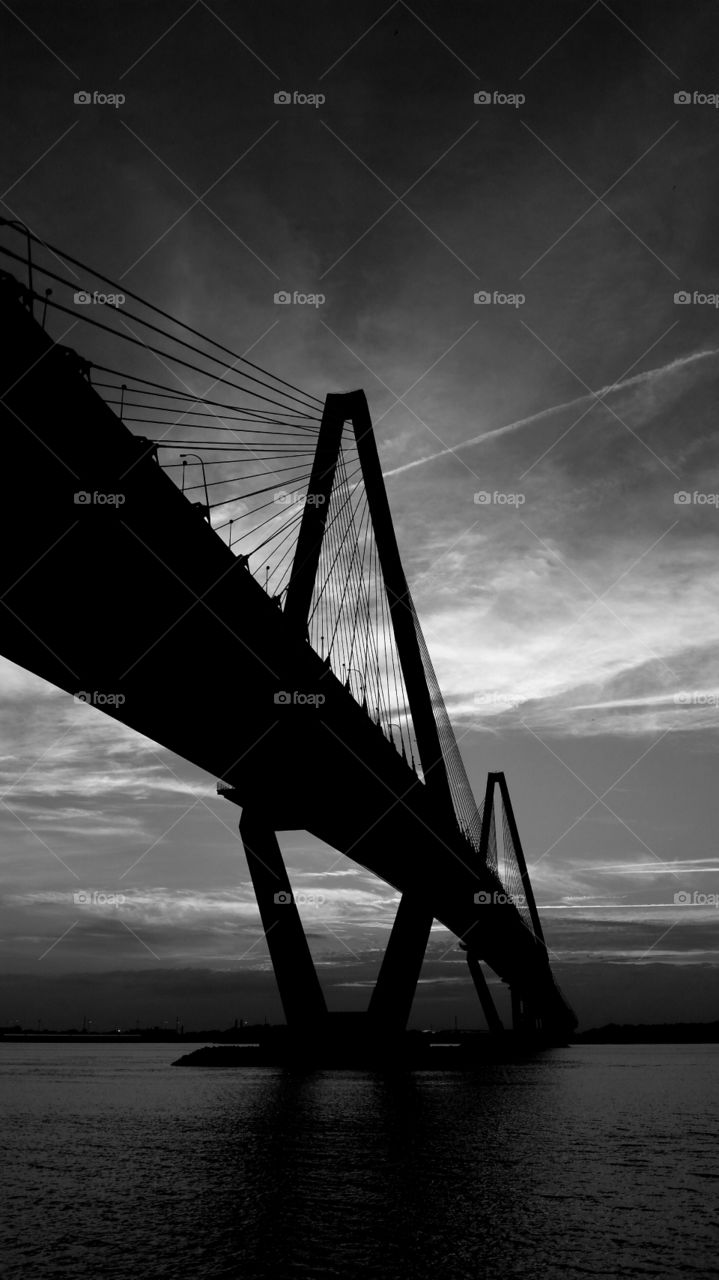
[[592, 1162]]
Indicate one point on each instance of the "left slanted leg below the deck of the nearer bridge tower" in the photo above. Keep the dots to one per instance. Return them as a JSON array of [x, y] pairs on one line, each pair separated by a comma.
[[297, 980]]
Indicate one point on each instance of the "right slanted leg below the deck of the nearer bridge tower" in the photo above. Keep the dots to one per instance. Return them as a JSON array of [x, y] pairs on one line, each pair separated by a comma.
[[392, 999]]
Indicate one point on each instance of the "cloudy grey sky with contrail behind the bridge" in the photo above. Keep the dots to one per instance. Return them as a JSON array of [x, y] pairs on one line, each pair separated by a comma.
[[551, 459]]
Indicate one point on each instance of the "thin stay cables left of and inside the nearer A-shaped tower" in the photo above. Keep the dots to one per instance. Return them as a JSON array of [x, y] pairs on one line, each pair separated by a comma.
[[240, 442]]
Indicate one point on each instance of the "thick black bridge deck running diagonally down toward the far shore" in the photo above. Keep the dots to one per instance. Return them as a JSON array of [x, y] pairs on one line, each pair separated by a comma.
[[145, 601]]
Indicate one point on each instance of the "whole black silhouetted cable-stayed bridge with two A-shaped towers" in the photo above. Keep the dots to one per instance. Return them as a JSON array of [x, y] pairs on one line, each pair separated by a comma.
[[212, 559]]
